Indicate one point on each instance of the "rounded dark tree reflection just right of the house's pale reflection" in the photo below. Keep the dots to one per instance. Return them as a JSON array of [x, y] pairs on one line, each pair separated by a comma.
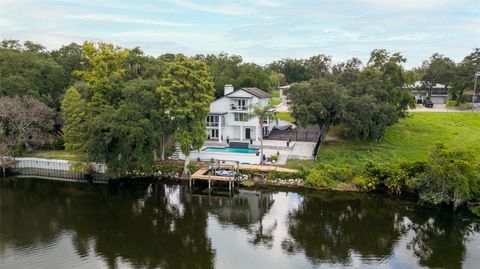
[[328, 227]]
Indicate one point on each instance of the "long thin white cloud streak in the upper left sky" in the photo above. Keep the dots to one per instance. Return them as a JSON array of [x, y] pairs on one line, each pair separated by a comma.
[[123, 19]]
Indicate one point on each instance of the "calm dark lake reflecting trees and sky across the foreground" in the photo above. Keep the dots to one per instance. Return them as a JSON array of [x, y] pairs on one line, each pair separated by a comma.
[[50, 224]]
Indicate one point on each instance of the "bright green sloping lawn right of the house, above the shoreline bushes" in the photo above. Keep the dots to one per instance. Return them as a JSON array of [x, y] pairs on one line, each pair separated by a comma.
[[411, 139]]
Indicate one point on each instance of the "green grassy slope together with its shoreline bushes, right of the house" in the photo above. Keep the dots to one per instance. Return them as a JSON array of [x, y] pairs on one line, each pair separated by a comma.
[[424, 147]]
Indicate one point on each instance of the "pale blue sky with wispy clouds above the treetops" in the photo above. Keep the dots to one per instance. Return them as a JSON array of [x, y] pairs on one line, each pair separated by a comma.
[[261, 31]]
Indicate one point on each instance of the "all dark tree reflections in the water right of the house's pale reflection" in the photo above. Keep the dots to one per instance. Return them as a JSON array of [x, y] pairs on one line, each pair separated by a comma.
[[330, 227]]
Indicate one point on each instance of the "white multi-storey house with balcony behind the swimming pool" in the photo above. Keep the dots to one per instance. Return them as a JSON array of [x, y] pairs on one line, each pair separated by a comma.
[[229, 115]]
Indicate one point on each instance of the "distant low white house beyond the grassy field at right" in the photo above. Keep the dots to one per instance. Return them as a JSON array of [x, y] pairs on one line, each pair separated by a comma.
[[440, 93]]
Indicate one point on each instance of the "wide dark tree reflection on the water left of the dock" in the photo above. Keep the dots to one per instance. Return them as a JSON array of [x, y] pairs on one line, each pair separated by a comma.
[[148, 231]]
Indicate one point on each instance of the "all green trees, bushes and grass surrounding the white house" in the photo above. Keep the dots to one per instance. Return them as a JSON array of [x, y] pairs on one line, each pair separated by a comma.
[[126, 110]]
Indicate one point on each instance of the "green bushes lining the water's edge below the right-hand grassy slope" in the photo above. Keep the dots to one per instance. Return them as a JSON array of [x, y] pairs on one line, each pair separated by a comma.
[[449, 176]]
